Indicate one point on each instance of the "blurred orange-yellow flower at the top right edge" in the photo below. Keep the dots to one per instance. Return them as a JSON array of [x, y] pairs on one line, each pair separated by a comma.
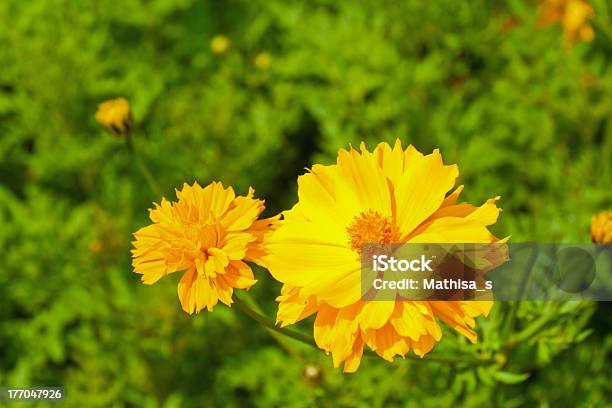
[[573, 14]]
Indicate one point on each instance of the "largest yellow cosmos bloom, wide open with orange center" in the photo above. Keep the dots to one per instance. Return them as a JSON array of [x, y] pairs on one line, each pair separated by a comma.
[[390, 195]]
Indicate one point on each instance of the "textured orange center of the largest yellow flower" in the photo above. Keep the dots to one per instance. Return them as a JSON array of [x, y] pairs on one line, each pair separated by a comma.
[[370, 227]]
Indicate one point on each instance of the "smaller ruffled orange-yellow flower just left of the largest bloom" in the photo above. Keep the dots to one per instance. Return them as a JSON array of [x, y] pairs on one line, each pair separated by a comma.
[[208, 233]]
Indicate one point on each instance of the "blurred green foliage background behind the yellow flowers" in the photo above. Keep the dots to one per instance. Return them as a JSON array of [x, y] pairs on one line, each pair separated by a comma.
[[523, 117]]
